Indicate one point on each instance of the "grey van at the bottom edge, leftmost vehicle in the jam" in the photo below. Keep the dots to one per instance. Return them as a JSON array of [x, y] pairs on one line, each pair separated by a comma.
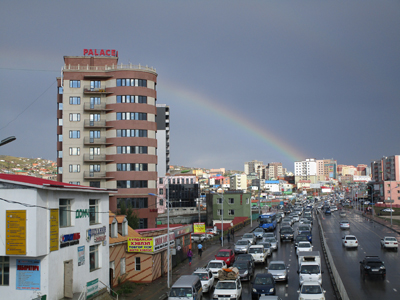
[[186, 287]]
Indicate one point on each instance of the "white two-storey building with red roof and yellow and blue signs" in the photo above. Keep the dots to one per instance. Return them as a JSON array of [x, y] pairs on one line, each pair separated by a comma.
[[55, 238]]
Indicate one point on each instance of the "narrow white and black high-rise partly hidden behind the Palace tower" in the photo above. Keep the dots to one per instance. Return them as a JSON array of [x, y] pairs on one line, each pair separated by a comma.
[[162, 135]]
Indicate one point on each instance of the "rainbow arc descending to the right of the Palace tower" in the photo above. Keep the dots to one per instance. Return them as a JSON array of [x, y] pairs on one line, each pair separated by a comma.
[[188, 96]]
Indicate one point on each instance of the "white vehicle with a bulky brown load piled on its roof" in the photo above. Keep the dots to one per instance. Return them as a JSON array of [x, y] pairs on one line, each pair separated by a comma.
[[228, 284]]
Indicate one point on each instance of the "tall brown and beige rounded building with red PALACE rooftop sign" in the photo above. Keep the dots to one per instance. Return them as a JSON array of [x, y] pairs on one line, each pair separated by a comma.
[[107, 130]]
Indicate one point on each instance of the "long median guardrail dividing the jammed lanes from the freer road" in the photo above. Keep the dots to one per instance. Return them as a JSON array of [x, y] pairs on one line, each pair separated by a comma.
[[337, 281]]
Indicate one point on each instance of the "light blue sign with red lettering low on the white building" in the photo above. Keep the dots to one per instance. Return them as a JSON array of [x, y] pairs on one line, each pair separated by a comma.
[[28, 274]]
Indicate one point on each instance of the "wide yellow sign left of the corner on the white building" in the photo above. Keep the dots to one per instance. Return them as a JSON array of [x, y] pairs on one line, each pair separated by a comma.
[[15, 232]]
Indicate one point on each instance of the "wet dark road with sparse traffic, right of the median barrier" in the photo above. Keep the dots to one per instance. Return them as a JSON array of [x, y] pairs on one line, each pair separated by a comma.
[[347, 261]]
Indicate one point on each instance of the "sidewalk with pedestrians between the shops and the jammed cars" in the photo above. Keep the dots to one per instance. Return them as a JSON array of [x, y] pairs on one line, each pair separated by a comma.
[[158, 288]]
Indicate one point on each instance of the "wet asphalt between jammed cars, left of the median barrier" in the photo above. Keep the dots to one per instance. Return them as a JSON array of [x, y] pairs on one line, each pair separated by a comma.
[[285, 252]]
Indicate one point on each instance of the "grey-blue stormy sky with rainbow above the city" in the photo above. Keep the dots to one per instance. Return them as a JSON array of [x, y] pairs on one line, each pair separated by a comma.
[[274, 81]]
